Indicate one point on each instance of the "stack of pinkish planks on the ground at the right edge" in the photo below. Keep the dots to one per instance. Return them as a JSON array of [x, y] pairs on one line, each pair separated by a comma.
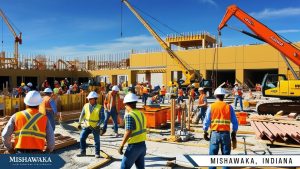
[[276, 132]]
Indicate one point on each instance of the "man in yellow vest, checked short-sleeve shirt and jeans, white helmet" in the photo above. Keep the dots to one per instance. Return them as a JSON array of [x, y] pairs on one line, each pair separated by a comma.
[[135, 134]]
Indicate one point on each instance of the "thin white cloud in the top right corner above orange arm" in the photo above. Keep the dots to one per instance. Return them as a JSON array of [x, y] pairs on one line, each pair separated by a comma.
[[271, 13]]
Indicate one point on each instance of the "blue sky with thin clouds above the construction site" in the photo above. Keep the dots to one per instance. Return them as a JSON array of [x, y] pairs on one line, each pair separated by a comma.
[[92, 27]]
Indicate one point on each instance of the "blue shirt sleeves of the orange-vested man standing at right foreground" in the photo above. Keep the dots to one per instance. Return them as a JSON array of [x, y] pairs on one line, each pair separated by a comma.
[[233, 119]]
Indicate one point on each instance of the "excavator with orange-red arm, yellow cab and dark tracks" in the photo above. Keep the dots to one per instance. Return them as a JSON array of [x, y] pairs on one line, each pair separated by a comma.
[[273, 85]]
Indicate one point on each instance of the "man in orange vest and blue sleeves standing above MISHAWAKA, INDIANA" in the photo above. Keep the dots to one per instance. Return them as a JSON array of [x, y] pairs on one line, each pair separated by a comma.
[[218, 118]]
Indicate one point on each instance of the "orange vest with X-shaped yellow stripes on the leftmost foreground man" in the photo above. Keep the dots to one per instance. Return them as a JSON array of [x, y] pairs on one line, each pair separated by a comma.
[[30, 130]]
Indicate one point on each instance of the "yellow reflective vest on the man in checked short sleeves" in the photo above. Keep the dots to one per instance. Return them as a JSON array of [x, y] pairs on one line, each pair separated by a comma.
[[140, 133]]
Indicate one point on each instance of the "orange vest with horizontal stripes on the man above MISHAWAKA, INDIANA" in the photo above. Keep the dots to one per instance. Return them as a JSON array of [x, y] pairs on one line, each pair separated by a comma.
[[220, 116]]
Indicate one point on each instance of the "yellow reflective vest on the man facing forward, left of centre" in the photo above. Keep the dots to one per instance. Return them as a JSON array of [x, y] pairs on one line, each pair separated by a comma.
[[92, 118]]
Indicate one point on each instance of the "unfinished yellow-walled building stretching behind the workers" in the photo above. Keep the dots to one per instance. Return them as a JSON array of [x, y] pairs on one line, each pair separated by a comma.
[[245, 63]]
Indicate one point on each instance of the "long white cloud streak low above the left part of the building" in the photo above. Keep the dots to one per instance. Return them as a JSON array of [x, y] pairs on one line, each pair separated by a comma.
[[119, 45]]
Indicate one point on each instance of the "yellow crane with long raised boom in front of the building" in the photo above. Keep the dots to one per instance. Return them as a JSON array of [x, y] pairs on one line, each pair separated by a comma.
[[191, 76]]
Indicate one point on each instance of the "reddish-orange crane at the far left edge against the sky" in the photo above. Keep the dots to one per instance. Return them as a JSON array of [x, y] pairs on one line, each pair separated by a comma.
[[18, 40]]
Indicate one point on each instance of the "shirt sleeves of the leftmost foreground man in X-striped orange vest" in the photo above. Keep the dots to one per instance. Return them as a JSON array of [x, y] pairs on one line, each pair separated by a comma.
[[9, 130]]
